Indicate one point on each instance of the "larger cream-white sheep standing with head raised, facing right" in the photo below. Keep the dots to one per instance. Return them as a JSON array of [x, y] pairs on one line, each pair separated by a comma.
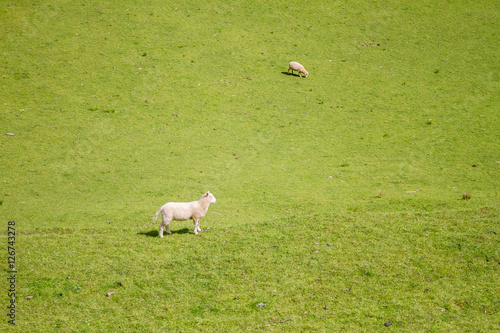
[[184, 211]]
